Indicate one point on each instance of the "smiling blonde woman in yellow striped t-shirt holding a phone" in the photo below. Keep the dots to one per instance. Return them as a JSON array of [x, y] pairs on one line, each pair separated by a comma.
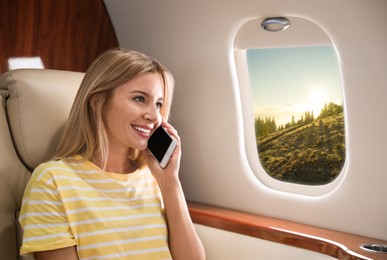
[[104, 196]]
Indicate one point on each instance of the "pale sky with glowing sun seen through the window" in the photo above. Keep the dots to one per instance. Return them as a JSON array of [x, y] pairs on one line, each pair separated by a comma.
[[292, 81]]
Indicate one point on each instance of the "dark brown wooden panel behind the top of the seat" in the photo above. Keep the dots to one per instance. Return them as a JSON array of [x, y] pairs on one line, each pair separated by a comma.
[[66, 34]]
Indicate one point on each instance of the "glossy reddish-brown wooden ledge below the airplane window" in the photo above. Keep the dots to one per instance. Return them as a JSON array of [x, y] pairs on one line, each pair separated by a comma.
[[333, 243]]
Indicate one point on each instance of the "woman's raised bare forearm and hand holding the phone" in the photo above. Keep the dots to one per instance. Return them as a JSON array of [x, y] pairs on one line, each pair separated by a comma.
[[184, 242]]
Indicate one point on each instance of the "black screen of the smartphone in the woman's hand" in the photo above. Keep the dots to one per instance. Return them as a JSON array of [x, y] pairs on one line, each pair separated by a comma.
[[159, 143]]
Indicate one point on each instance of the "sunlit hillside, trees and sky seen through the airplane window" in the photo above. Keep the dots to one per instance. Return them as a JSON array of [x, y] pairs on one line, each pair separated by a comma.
[[298, 112]]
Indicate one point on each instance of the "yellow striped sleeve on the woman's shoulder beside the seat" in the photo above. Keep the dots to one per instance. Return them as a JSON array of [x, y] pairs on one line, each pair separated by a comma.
[[42, 217]]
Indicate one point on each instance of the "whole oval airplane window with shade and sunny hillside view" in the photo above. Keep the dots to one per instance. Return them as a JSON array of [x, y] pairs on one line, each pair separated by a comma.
[[292, 104]]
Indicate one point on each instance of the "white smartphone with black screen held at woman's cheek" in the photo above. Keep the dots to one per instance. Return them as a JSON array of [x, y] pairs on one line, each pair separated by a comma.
[[161, 146]]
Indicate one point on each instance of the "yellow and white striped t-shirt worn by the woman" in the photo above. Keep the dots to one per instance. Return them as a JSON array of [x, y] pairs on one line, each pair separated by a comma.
[[105, 215]]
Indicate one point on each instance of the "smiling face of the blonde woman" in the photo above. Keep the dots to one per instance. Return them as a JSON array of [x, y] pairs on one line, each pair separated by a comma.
[[133, 112]]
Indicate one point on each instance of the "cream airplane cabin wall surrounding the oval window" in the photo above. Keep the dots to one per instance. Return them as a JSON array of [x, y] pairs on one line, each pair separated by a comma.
[[195, 40]]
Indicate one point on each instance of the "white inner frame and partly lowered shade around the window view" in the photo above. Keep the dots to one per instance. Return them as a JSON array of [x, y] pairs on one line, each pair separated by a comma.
[[244, 41]]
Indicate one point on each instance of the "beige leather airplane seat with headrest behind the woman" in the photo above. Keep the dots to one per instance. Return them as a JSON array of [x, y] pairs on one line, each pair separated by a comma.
[[35, 104]]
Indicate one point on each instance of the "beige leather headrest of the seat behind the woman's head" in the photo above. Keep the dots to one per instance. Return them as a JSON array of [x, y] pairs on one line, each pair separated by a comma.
[[38, 104]]
